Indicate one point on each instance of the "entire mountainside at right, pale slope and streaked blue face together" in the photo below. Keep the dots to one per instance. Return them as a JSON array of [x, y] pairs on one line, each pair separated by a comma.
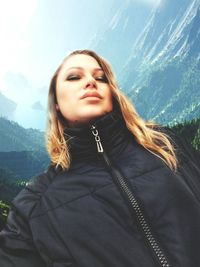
[[155, 53]]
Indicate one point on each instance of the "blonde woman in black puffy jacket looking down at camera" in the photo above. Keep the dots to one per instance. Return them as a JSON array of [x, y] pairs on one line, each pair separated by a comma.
[[115, 194]]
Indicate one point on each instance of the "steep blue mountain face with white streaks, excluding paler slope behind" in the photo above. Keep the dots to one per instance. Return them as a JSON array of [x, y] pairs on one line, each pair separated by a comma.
[[162, 74]]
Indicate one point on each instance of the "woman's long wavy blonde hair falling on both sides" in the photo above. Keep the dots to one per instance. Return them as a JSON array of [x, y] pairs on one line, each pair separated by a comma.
[[146, 133]]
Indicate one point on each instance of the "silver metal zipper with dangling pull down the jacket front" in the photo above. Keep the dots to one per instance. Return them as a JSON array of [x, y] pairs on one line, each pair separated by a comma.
[[145, 228]]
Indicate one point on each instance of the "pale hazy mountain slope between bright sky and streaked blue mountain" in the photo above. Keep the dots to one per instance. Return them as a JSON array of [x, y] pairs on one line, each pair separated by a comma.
[[120, 31]]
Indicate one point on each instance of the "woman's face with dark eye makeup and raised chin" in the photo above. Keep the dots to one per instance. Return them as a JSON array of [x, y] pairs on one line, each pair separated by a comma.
[[82, 90]]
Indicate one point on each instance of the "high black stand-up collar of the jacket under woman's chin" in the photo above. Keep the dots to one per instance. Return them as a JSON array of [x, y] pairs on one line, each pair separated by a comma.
[[112, 131]]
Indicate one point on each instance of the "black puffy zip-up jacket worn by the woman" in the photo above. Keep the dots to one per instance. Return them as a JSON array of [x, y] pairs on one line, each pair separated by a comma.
[[117, 206]]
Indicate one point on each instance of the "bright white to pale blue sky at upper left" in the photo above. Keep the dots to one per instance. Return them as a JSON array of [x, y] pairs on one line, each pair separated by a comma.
[[35, 36]]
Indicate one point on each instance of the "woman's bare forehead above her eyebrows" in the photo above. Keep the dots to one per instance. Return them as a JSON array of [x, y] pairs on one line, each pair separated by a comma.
[[83, 61]]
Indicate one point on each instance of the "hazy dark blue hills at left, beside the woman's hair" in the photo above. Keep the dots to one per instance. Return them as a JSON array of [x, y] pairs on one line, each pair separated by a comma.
[[22, 151]]
